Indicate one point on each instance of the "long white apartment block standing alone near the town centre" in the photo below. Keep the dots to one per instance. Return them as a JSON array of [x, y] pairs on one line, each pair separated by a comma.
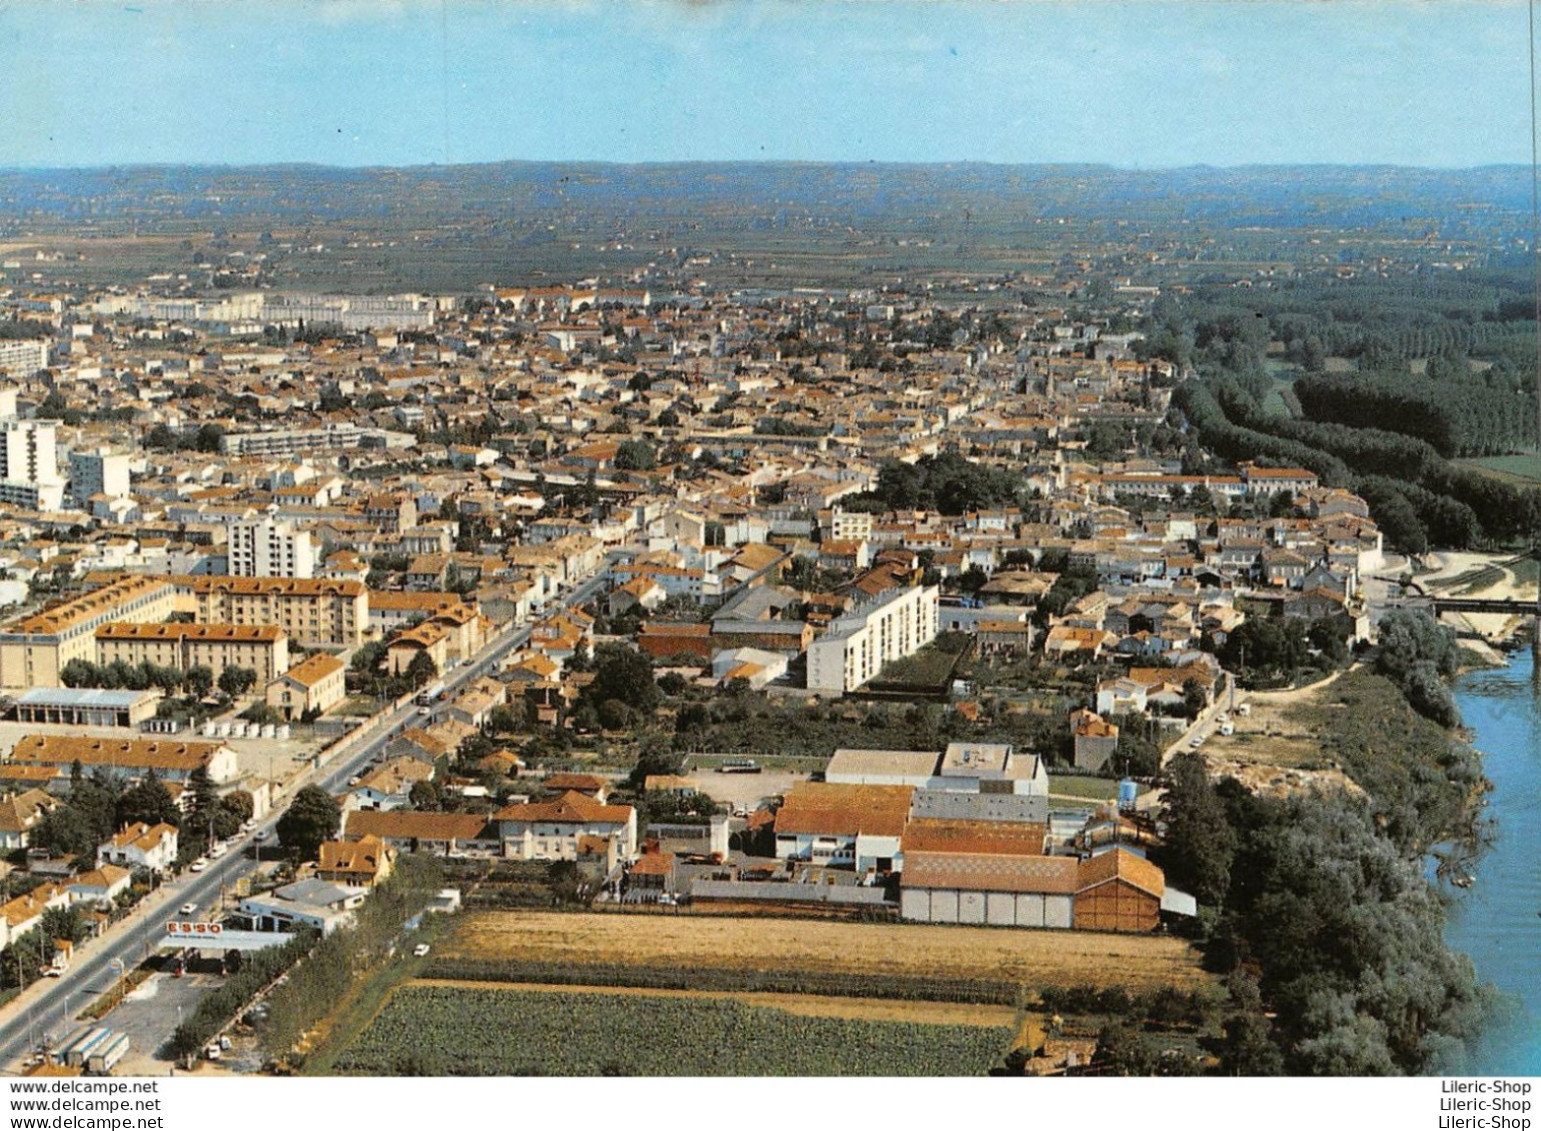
[[858, 645]]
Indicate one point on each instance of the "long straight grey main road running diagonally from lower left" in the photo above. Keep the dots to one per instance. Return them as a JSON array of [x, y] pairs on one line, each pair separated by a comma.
[[50, 1005]]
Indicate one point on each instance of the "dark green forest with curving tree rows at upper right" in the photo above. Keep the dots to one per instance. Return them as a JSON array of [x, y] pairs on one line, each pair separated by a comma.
[[1383, 429]]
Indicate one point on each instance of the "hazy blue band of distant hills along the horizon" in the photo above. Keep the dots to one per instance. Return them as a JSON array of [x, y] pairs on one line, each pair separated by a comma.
[[1272, 196]]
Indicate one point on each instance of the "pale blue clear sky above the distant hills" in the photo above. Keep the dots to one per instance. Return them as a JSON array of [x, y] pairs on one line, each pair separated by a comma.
[[1149, 84]]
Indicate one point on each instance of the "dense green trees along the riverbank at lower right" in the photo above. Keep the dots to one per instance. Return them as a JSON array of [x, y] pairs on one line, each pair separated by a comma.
[[1317, 907]]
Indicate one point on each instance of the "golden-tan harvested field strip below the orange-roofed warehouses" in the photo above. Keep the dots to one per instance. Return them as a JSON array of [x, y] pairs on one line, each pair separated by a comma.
[[1032, 959]]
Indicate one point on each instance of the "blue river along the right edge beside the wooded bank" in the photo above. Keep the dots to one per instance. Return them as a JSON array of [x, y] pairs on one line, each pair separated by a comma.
[[1499, 921]]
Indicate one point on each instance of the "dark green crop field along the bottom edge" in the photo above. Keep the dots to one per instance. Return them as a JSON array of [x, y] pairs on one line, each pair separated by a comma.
[[468, 1032]]
